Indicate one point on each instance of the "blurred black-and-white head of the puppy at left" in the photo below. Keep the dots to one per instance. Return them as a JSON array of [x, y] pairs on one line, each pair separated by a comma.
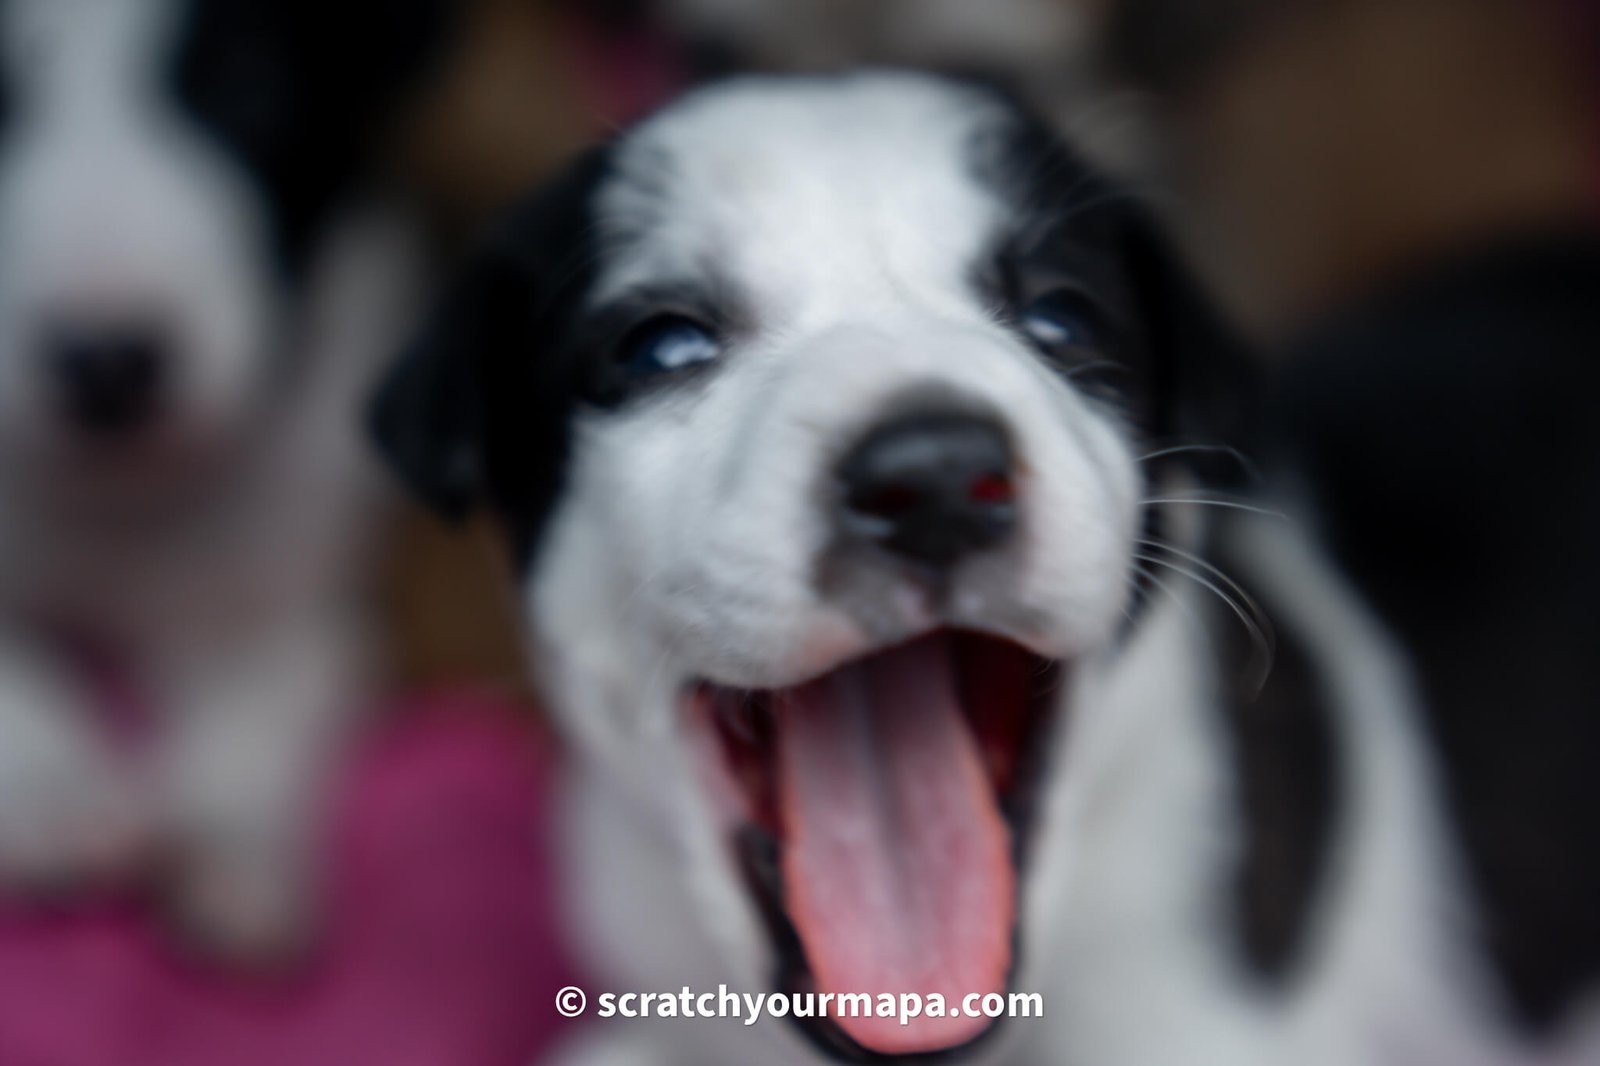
[[166, 170]]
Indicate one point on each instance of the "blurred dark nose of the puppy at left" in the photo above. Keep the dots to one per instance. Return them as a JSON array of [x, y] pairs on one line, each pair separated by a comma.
[[108, 380]]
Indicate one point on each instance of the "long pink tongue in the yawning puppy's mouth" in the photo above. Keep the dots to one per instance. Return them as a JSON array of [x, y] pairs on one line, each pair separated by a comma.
[[897, 862]]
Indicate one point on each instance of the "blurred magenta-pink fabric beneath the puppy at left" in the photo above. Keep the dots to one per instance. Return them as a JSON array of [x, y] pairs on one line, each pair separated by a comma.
[[441, 947]]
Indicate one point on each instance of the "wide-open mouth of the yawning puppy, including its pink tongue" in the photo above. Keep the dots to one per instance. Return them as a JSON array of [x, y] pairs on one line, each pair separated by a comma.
[[886, 811]]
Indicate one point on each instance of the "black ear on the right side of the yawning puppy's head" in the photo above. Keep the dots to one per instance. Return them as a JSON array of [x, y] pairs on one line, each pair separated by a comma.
[[1207, 375]]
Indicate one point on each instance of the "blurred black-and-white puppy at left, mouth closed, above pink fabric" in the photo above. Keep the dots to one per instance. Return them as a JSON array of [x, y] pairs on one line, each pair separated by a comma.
[[191, 300]]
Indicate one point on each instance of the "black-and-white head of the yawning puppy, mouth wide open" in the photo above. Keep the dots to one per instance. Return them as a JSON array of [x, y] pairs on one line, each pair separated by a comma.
[[818, 412]]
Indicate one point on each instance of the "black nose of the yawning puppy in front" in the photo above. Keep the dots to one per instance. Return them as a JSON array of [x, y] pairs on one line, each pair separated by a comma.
[[932, 487]]
